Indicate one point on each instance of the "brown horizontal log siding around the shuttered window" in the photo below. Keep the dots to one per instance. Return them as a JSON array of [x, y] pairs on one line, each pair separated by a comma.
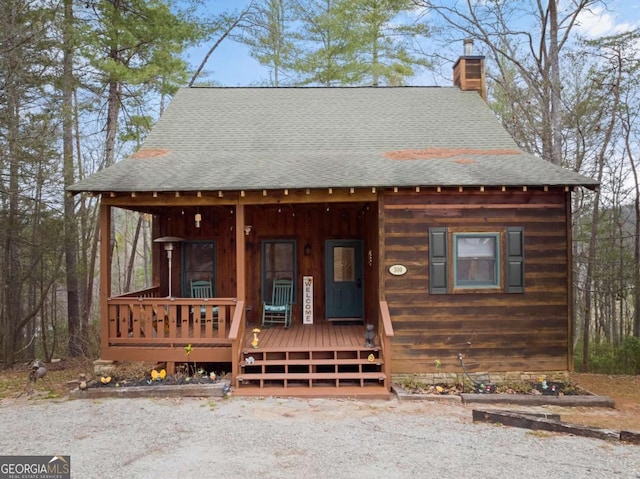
[[494, 331]]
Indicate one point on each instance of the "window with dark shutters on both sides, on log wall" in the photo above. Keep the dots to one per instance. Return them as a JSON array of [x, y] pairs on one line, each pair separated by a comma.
[[476, 261]]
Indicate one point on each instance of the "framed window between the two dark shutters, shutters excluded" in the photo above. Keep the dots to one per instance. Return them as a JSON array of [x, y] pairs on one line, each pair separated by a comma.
[[476, 260]]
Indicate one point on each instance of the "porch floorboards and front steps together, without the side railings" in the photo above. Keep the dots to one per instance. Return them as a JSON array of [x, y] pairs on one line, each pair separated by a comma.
[[319, 360]]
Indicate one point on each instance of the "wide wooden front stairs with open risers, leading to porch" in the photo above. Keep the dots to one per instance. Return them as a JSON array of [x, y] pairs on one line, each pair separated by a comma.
[[341, 371]]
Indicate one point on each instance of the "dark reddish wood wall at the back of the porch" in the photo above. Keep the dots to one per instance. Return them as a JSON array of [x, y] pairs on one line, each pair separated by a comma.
[[307, 223]]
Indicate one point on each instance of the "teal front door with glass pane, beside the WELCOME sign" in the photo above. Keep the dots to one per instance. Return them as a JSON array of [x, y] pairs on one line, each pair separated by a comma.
[[344, 280]]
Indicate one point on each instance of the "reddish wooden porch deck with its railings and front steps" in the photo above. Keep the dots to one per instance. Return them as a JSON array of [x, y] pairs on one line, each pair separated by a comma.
[[327, 359]]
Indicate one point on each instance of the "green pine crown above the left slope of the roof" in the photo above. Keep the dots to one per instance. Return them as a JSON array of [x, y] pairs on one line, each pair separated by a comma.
[[133, 53]]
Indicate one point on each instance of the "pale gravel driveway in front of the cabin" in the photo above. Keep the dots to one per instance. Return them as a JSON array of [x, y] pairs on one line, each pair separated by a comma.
[[291, 438]]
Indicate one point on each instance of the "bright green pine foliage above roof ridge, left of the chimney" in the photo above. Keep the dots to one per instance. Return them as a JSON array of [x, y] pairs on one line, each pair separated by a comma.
[[356, 42]]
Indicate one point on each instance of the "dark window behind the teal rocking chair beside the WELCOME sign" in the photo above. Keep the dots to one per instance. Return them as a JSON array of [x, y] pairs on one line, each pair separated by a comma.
[[278, 262]]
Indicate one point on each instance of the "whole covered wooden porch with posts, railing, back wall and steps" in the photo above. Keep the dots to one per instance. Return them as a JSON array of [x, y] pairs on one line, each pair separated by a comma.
[[324, 357]]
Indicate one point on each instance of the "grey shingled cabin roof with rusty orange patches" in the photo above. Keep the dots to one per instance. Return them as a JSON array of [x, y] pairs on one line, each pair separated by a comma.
[[270, 138]]
